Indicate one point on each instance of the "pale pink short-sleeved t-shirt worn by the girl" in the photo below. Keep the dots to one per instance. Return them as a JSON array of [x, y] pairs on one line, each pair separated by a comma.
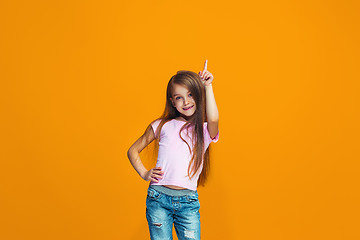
[[174, 155]]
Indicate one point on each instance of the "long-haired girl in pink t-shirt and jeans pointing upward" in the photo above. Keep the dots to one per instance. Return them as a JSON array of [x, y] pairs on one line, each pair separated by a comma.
[[183, 136]]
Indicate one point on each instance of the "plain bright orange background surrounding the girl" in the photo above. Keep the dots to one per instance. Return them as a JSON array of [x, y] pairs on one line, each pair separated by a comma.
[[81, 81]]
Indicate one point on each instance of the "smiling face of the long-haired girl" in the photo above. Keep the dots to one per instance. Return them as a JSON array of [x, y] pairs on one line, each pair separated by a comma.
[[183, 101]]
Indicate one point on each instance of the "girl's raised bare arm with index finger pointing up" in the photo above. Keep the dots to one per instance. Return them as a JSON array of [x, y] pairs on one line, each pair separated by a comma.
[[212, 112]]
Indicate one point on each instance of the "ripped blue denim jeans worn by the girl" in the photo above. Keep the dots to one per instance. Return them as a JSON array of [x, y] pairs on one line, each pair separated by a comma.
[[163, 210]]
